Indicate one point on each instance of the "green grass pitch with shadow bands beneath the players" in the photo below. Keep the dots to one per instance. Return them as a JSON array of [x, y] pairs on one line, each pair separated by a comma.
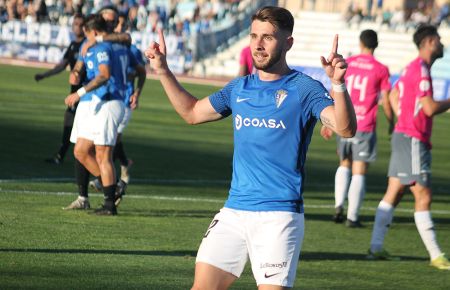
[[179, 181]]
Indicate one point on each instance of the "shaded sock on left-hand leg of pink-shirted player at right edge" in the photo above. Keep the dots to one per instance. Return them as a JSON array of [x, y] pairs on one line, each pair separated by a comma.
[[383, 219]]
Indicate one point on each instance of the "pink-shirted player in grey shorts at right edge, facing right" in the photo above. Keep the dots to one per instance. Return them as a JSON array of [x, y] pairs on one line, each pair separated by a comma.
[[412, 100]]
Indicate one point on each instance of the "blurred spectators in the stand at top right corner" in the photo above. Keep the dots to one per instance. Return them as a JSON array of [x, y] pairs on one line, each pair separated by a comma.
[[403, 17]]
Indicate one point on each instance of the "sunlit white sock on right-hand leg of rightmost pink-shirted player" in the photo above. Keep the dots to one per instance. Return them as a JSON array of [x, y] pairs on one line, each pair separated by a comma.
[[425, 226]]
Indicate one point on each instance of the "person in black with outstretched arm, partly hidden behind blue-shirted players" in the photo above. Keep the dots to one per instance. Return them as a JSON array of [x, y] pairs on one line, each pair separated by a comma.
[[69, 58]]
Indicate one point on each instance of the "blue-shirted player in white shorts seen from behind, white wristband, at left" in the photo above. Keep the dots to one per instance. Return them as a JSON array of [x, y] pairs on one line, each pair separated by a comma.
[[101, 101]]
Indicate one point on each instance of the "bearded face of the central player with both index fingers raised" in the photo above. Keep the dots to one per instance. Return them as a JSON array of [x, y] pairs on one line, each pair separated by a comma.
[[268, 45]]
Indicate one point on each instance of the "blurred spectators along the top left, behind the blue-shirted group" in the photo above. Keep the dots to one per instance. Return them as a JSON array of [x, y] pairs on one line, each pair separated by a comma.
[[183, 17]]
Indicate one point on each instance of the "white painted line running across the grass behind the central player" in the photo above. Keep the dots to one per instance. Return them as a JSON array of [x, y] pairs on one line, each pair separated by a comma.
[[194, 199]]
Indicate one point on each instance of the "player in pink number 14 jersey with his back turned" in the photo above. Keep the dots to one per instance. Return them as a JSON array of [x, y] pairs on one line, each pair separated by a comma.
[[367, 81]]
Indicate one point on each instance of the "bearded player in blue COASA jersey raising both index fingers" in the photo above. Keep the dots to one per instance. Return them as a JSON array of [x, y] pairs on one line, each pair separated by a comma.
[[274, 112]]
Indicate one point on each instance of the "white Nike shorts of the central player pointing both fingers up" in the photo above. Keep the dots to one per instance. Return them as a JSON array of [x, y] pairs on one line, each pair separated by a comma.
[[271, 239]]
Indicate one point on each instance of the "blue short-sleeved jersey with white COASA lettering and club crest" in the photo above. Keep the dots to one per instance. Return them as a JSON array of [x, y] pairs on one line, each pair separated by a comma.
[[273, 123]]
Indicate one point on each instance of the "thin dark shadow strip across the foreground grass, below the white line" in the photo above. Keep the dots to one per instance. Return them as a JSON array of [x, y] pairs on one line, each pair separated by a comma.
[[304, 256]]
